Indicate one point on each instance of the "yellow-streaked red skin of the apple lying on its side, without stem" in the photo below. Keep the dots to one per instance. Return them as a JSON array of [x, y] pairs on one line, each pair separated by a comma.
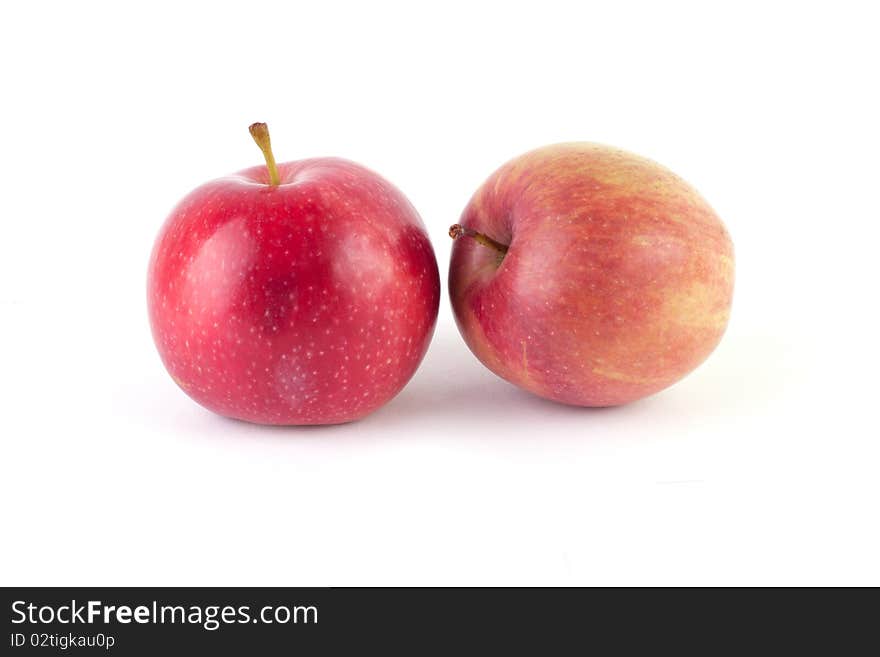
[[617, 282]]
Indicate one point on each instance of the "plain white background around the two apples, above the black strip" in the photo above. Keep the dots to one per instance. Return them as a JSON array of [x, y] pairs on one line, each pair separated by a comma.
[[759, 468]]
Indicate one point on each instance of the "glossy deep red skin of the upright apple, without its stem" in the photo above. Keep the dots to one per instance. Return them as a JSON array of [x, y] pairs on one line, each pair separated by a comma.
[[312, 302]]
